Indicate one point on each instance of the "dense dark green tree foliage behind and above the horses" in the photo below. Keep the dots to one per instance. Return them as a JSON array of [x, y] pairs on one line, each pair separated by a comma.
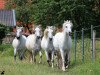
[[83, 13]]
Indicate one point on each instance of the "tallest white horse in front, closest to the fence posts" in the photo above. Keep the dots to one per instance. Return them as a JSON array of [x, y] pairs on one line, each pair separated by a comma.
[[62, 41]]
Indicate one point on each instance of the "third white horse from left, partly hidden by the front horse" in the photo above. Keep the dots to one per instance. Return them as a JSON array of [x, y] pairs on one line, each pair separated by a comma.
[[47, 44]]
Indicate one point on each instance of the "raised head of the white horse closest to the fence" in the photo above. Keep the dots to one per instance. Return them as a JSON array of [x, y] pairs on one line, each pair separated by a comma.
[[67, 27]]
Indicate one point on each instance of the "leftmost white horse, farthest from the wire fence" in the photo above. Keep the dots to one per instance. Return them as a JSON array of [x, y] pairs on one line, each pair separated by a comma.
[[19, 43]]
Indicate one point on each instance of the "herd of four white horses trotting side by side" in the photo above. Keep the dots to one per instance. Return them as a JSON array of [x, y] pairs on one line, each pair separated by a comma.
[[53, 44]]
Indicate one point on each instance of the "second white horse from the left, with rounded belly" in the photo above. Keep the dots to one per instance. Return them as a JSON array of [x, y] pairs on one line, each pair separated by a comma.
[[33, 43]]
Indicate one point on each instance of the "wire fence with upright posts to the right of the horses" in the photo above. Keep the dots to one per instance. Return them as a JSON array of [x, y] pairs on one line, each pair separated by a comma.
[[86, 46]]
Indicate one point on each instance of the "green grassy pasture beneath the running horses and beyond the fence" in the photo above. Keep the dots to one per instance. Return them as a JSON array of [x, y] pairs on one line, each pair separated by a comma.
[[24, 67]]
